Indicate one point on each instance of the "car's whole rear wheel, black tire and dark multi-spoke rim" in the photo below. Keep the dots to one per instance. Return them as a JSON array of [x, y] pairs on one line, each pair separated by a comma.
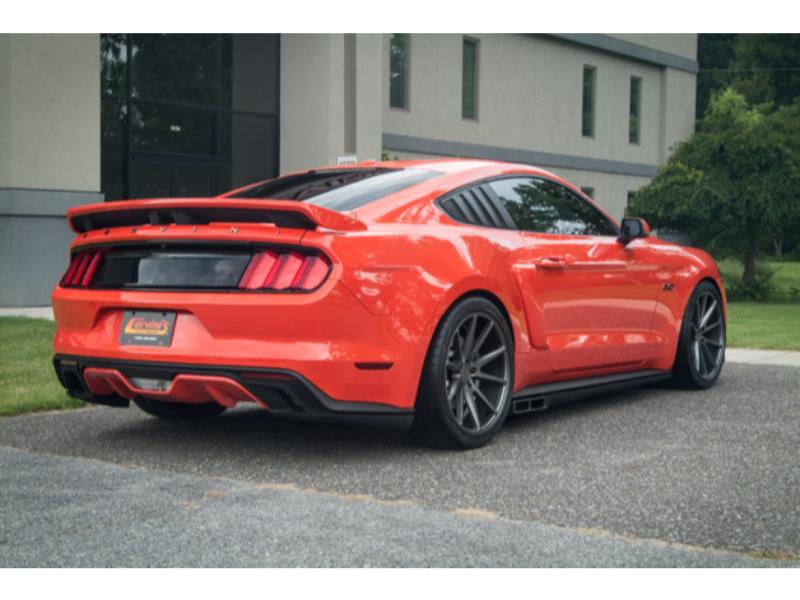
[[486, 388]]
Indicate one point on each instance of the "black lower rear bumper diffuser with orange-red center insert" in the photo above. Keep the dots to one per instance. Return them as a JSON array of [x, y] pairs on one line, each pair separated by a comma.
[[282, 392]]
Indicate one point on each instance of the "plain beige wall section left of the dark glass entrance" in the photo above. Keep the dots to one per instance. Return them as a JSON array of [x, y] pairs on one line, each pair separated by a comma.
[[49, 112]]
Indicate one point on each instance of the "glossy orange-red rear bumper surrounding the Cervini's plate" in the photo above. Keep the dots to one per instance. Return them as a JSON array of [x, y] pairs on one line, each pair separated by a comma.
[[326, 337]]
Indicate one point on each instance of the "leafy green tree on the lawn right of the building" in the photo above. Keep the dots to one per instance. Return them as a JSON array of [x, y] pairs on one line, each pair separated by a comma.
[[732, 185]]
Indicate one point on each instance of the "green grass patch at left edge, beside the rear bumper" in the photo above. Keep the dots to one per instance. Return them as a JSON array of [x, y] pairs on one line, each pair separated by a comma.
[[27, 380]]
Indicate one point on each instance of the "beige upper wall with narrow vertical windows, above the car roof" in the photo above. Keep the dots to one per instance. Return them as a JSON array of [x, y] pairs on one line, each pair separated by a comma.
[[530, 97]]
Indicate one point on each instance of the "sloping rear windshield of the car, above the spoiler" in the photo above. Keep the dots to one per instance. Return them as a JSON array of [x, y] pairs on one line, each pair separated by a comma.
[[339, 190]]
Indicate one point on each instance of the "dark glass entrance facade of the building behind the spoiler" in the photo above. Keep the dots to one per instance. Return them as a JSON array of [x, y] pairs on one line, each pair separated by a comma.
[[187, 115]]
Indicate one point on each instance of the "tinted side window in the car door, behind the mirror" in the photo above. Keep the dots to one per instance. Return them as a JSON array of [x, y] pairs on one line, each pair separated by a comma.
[[546, 207]]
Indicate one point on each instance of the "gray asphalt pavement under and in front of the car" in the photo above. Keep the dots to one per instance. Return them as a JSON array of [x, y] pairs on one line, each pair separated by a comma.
[[647, 477]]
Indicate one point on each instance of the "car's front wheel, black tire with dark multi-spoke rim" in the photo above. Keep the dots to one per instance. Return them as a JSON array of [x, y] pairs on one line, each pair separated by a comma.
[[701, 352]]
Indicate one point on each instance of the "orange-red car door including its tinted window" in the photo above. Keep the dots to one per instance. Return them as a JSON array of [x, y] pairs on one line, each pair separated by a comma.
[[590, 299]]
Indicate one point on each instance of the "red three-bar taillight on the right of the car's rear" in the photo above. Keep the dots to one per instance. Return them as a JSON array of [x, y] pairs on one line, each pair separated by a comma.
[[285, 271]]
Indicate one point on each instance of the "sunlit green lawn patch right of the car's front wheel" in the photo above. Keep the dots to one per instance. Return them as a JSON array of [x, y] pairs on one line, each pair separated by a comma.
[[764, 325]]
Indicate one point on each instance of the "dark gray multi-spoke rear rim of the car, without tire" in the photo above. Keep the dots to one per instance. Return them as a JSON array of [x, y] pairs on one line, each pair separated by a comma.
[[477, 374]]
